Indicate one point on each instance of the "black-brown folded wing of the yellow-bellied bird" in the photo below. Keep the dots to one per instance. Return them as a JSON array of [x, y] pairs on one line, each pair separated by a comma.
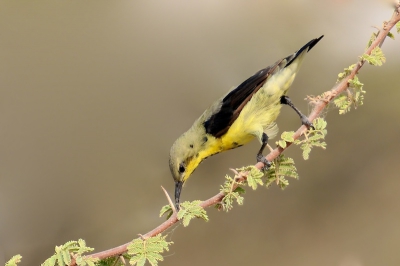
[[233, 103]]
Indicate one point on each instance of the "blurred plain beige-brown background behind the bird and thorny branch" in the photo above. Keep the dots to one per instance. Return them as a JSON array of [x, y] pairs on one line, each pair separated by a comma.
[[94, 93]]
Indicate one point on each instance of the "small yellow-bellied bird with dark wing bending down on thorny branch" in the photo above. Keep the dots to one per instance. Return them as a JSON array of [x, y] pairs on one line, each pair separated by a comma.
[[249, 111]]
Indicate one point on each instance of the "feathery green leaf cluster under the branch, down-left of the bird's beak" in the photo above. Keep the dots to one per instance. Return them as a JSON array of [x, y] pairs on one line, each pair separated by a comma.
[[149, 249]]
